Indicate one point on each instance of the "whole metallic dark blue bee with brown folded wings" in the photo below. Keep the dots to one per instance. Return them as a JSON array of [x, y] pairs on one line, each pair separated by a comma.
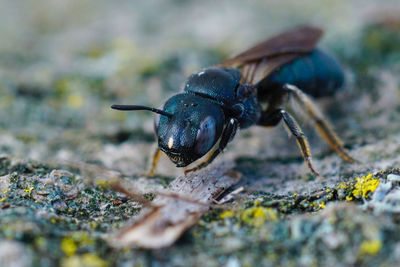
[[249, 89]]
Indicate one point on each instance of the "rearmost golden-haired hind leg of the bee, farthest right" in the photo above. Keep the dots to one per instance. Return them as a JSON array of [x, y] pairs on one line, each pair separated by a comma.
[[322, 126]]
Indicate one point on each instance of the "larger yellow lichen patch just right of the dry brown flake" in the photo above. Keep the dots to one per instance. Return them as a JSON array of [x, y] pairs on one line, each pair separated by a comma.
[[257, 216]]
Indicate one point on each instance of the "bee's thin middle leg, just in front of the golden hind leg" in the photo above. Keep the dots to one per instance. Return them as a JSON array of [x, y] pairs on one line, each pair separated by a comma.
[[301, 139]]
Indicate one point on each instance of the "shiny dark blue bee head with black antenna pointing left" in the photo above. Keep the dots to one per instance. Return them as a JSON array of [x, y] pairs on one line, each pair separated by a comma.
[[187, 127]]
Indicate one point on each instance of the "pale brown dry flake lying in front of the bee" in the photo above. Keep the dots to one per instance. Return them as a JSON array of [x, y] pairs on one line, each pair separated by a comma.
[[175, 210]]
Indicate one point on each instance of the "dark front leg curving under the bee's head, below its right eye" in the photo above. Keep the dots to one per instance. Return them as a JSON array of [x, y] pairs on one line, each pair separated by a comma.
[[227, 135]]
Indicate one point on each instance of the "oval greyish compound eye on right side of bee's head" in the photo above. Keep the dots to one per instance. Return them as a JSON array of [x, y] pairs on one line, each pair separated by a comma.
[[205, 136]]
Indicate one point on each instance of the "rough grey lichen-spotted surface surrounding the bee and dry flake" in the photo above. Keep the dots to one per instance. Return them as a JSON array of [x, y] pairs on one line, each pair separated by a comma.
[[62, 65]]
